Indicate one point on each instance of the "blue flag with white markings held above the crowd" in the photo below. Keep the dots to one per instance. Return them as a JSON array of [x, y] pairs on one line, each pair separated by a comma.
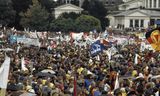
[[96, 48]]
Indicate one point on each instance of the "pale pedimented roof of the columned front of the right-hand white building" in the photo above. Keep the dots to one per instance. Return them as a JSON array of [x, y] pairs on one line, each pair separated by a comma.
[[150, 13]]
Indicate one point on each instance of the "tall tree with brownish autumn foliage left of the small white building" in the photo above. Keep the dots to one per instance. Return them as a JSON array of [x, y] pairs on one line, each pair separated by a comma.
[[36, 17]]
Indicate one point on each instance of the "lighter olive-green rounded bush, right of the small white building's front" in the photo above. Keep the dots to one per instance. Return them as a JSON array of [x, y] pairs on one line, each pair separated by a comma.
[[87, 23]]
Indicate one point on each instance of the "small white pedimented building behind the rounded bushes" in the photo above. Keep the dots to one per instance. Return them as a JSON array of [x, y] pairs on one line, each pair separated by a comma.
[[66, 8]]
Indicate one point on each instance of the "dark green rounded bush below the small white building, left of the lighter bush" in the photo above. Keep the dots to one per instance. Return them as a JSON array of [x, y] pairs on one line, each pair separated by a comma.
[[63, 24]]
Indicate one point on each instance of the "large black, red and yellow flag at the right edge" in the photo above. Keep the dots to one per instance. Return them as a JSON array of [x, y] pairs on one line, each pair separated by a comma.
[[153, 37]]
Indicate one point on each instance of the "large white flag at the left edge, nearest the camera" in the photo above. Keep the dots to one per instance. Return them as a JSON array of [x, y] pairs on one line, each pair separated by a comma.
[[4, 71]]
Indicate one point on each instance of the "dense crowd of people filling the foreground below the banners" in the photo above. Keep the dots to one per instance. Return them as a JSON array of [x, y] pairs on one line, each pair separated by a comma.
[[72, 71]]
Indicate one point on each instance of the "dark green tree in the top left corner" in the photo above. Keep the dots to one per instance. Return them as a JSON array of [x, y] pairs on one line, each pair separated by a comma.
[[7, 14]]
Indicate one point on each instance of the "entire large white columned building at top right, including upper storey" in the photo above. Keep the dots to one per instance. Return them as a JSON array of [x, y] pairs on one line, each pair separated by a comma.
[[136, 14]]
